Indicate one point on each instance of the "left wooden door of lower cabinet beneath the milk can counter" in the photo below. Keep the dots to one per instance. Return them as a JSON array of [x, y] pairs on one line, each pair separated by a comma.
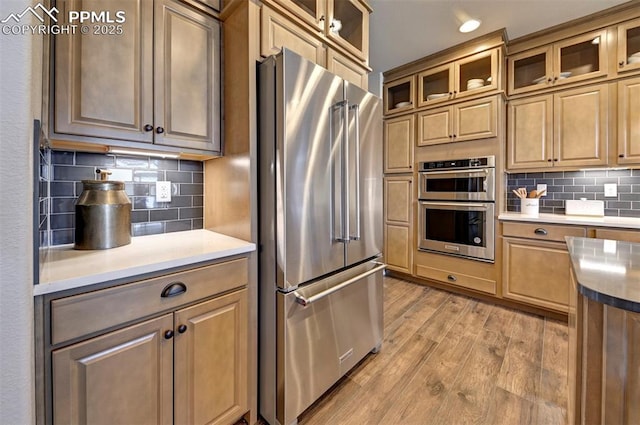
[[124, 377]]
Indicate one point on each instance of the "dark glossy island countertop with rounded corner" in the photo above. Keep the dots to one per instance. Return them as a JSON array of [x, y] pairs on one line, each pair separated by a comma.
[[607, 271]]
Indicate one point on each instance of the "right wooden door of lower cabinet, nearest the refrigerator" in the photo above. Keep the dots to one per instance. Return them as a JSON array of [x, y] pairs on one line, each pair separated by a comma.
[[211, 362]]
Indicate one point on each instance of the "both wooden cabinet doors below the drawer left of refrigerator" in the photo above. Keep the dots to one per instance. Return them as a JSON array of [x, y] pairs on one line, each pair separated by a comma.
[[189, 366]]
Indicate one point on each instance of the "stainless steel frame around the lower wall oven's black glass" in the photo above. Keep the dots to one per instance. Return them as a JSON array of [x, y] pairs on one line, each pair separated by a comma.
[[477, 253]]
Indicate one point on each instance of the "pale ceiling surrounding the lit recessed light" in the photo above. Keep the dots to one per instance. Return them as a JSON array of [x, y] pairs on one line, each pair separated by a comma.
[[402, 31]]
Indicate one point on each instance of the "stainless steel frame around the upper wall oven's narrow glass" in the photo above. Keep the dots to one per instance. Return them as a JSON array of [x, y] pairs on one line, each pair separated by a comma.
[[489, 185]]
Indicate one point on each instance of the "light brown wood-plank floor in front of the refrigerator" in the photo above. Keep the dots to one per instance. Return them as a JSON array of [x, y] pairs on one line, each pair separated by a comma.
[[449, 359]]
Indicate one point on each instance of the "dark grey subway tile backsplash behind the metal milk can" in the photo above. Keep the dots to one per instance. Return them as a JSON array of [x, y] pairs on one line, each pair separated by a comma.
[[184, 212]]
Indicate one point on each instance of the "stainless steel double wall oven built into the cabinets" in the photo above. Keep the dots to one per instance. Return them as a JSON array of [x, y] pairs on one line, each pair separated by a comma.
[[456, 203]]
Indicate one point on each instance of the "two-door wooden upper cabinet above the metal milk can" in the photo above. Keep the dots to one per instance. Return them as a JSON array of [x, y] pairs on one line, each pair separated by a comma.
[[143, 85]]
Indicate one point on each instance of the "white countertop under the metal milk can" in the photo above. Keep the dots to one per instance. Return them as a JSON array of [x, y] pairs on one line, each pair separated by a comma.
[[66, 268]]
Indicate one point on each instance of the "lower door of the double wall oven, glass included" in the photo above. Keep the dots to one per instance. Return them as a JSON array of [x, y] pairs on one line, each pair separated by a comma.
[[457, 228]]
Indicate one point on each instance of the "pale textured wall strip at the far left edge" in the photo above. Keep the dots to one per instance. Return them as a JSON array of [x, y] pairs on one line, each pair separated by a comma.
[[17, 98]]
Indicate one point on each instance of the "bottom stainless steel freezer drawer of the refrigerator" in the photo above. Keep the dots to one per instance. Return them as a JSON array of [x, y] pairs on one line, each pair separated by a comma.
[[323, 340]]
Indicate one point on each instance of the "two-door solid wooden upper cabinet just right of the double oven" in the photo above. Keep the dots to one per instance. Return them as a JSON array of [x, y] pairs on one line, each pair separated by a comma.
[[569, 128]]
